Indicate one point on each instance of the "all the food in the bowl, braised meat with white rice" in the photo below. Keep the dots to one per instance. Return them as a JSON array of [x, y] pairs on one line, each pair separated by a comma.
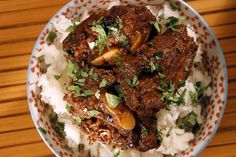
[[125, 81]]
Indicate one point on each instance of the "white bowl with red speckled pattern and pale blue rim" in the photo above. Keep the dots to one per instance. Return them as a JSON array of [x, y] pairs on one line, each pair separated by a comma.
[[215, 65]]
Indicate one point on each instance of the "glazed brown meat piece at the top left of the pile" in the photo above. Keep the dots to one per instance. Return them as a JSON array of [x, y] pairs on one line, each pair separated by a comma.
[[135, 28]]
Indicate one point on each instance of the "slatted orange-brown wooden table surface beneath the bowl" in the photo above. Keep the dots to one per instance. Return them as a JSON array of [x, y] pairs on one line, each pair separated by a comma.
[[20, 24]]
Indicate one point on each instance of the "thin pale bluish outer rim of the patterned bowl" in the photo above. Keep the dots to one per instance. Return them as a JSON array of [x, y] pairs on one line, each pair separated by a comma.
[[204, 142]]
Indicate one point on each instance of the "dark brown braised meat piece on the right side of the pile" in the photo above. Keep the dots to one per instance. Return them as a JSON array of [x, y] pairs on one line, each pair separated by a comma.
[[178, 53]]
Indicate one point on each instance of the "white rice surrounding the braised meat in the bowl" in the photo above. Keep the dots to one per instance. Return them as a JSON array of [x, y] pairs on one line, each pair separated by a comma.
[[53, 91]]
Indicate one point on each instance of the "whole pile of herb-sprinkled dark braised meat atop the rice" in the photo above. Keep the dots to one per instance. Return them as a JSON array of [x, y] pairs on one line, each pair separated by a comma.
[[121, 66]]
